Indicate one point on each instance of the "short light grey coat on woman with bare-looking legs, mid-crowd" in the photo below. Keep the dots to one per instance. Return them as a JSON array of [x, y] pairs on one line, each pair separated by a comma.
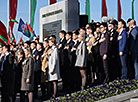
[[81, 53]]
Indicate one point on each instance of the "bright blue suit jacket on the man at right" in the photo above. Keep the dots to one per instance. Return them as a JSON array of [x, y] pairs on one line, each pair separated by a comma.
[[123, 42]]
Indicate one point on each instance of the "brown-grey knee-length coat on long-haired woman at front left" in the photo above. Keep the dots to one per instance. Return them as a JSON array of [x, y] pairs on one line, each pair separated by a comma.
[[28, 73]]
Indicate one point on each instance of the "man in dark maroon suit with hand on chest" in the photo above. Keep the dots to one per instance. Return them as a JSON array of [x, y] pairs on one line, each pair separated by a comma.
[[104, 45]]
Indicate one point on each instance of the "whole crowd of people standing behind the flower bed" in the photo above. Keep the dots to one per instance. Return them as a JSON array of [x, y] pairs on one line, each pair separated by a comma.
[[91, 55]]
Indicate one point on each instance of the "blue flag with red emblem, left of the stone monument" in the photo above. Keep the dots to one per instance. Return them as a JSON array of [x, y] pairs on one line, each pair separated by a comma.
[[23, 28]]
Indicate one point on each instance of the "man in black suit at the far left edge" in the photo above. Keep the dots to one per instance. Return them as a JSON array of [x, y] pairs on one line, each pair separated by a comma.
[[7, 75]]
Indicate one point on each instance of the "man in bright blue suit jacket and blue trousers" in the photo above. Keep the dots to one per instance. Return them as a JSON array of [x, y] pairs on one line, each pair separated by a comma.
[[123, 48]]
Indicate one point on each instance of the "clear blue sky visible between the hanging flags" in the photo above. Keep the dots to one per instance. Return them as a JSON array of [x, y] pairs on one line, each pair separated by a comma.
[[95, 7]]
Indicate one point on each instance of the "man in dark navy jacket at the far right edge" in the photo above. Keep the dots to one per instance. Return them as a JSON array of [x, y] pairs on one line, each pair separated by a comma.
[[133, 45]]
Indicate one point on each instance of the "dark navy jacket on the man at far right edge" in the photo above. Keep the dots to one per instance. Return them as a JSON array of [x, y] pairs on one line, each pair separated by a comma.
[[133, 42]]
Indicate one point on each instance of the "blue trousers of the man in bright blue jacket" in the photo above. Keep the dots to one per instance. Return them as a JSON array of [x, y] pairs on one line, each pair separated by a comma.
[[124, 69]]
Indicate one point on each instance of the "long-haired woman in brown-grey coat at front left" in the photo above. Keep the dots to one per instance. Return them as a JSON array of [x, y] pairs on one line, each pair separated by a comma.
[[27, 82]]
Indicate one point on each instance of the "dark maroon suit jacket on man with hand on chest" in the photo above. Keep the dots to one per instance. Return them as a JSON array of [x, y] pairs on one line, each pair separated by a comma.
[[104, 45]]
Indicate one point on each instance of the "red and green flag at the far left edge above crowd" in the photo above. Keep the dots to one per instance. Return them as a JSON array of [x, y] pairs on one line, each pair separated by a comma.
[[3, 34]]
